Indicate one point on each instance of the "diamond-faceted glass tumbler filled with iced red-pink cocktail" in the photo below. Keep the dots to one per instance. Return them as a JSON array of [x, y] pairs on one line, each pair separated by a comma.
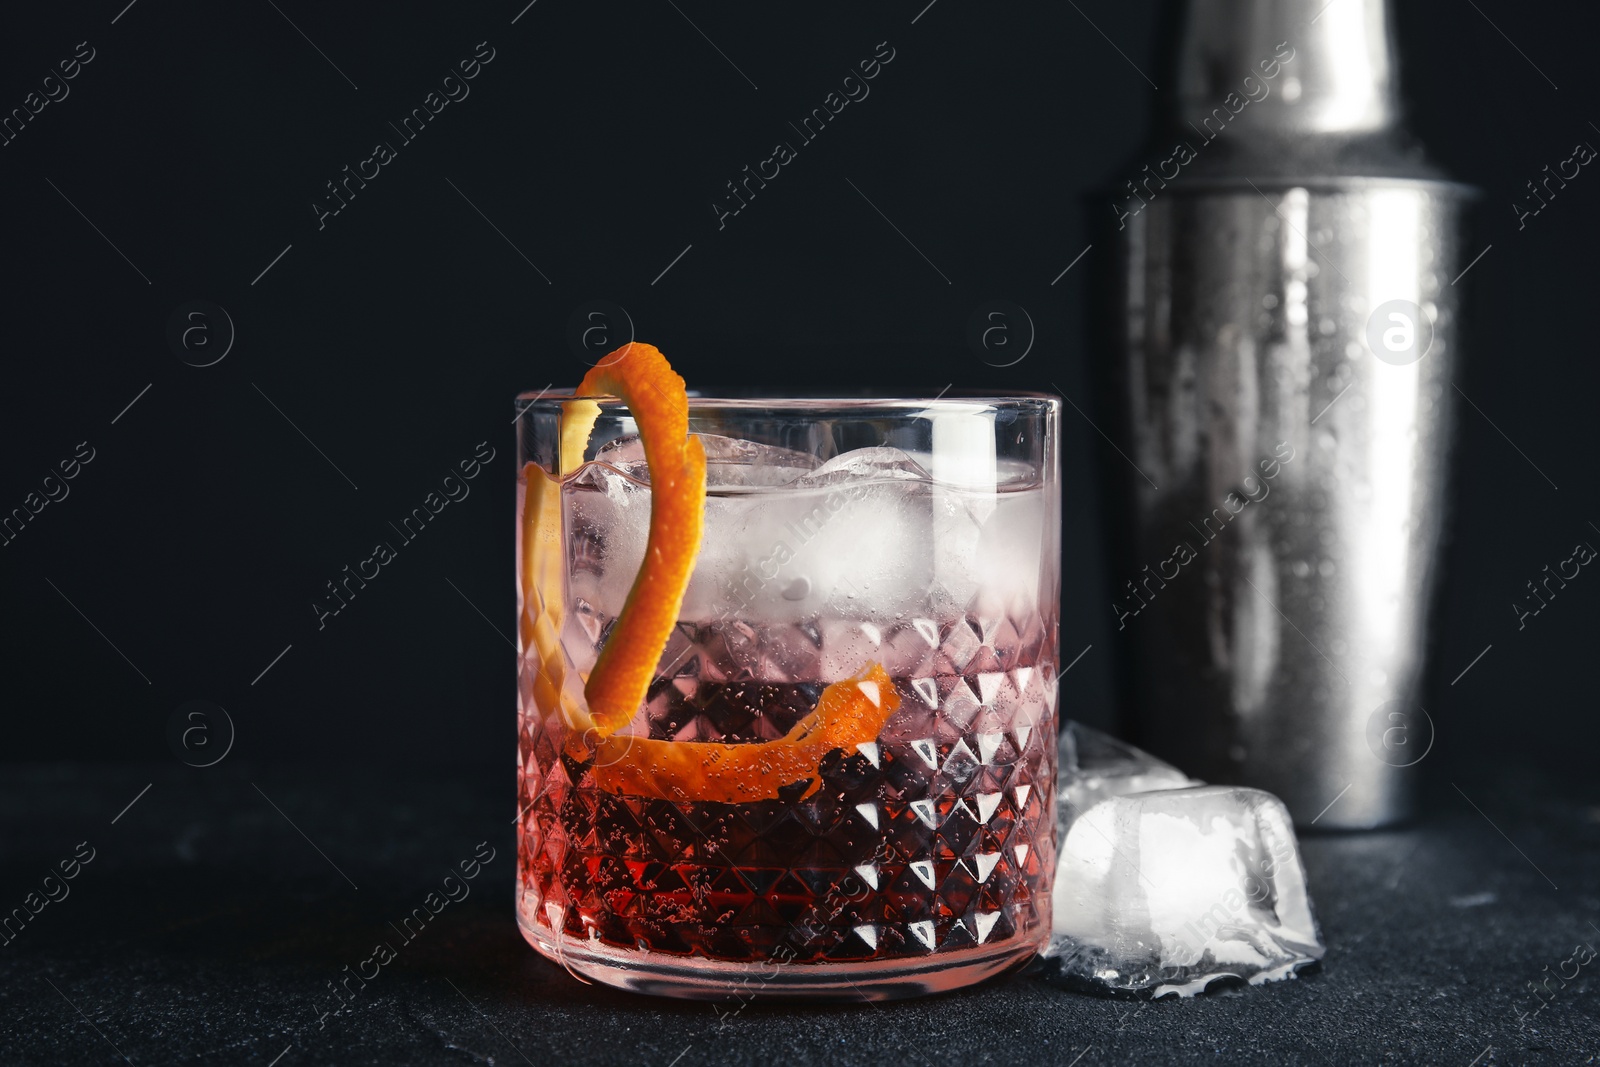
[[919, 537]]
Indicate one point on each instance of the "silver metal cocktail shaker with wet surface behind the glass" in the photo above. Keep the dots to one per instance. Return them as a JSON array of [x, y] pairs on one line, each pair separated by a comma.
[[1281, 335]]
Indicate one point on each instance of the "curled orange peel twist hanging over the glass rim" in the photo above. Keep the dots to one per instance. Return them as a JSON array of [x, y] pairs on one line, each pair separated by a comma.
[[849, 713]]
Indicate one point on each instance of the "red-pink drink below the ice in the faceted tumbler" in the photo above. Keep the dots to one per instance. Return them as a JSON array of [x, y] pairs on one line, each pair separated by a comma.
[[934, 842]]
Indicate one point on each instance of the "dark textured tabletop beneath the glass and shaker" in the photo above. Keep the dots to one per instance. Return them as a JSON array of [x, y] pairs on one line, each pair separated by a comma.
[[222, 905]]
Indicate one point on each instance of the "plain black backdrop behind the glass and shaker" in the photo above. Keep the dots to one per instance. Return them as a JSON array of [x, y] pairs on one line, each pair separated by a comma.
[[593, 146]]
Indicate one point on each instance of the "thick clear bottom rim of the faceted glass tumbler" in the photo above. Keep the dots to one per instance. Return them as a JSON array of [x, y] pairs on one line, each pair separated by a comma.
[[737, 983]]
